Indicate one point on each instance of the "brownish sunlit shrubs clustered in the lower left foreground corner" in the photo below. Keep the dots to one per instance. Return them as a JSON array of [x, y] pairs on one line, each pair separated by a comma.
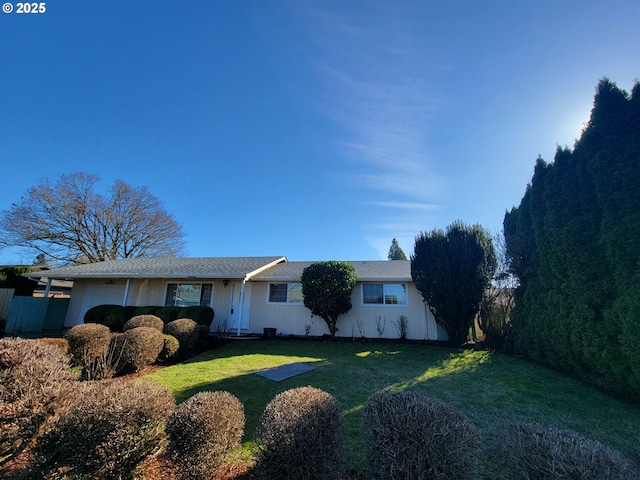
[[102, 430]]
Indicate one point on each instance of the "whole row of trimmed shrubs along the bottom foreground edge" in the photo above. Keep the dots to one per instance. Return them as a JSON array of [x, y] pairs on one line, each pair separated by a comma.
[[103, 430]]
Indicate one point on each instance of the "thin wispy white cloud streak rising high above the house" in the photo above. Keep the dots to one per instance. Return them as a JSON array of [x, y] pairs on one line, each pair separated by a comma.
[[376, 82]]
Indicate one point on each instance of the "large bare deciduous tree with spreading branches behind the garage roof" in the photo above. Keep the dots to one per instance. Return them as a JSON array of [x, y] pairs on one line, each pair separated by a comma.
[[69, 223]]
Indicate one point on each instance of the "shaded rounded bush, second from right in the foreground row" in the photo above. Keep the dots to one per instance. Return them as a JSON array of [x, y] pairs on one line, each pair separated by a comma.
[[410, 435]]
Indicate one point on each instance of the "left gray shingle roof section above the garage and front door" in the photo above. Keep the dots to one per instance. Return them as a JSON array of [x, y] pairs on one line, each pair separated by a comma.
[[165, 267]]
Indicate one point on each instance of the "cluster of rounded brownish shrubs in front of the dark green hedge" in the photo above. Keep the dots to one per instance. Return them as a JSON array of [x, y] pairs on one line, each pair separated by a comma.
[[104, 354]]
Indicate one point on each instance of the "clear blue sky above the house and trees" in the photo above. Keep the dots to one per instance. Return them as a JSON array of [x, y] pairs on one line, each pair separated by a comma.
[[312, 129]]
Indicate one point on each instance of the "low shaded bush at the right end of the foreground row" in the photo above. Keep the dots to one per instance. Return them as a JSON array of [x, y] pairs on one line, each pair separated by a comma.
[[546, 453]]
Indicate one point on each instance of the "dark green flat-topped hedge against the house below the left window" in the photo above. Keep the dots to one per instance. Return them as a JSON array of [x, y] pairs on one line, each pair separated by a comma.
[[115, 316]]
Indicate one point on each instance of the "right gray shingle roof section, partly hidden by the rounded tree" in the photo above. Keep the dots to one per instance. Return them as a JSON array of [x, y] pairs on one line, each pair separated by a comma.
[[369, 270]]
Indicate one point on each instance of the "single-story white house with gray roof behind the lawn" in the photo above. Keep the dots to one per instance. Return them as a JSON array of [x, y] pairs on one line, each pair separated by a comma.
[[249, 294]]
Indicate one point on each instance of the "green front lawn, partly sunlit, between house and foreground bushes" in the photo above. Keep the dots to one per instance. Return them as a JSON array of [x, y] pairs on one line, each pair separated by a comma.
[[492, 389]]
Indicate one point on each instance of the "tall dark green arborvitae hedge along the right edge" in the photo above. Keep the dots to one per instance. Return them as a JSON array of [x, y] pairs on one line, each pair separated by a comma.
[[574, 243]]
